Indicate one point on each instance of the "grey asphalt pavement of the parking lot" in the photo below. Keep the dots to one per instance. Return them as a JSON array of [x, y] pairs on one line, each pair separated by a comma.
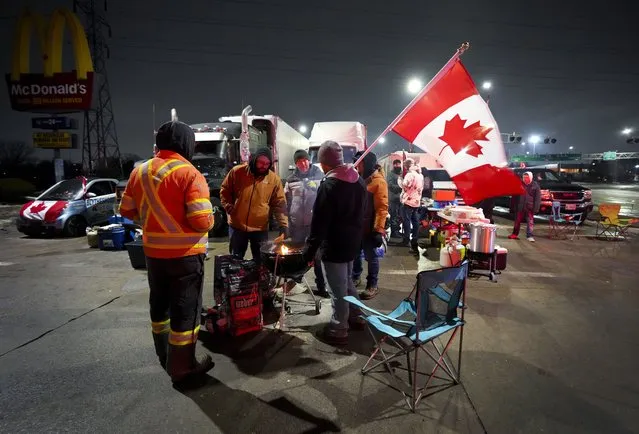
[[551, 346]]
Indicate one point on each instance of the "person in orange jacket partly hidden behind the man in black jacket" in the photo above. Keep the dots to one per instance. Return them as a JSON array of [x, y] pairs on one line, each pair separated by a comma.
[[374, 225]]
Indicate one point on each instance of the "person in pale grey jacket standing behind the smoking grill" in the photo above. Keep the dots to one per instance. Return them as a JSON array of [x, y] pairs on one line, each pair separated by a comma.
[[301, 191]]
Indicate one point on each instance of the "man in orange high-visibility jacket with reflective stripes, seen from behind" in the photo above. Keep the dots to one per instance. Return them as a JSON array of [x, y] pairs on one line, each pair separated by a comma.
[[171, 200]]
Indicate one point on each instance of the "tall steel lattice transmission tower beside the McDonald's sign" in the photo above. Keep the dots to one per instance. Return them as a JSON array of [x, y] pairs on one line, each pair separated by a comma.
[[100, 147]]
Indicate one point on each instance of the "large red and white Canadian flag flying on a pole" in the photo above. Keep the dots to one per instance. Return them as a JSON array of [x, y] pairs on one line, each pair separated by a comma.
[[452, 122]]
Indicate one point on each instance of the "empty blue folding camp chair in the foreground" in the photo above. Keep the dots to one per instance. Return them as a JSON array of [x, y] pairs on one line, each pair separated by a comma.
[[431, 310]]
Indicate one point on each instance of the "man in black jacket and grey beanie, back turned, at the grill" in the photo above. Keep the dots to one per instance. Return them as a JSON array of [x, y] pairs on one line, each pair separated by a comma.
[[336, 230]]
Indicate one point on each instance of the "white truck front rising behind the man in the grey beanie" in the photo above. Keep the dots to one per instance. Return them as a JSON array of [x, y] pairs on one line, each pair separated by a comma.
[[351, 135]]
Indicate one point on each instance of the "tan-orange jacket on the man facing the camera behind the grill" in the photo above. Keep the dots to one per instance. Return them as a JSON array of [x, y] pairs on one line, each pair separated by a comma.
[[248, 200]]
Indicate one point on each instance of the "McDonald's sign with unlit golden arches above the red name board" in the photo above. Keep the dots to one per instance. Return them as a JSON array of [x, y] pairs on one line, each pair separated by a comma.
[[53, 91]]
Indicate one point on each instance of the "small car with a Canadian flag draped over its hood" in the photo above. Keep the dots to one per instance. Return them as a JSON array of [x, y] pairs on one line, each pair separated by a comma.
[[68, 207]]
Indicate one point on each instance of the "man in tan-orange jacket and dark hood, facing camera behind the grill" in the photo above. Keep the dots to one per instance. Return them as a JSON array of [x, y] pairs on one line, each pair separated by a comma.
[[248, 194]]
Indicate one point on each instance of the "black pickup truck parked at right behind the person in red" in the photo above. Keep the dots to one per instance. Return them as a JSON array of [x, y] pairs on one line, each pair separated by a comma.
[[574, 198]]
